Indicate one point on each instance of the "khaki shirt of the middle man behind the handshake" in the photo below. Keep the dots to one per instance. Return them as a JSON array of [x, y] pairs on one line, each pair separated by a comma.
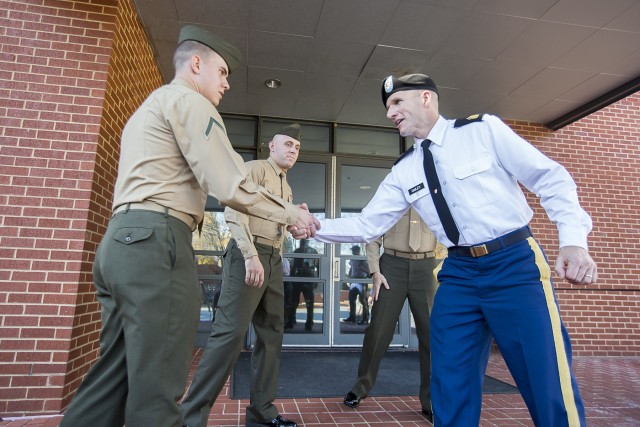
[[243, 228]]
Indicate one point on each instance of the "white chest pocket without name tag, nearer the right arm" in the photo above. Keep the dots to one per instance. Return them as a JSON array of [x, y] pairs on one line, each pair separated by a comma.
[[478, 181]]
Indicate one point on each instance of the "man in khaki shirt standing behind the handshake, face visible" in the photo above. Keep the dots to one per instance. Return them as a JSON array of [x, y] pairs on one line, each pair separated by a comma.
[[252, 293]]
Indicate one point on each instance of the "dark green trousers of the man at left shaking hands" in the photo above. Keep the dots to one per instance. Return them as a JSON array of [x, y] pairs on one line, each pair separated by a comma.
[[146, 283]]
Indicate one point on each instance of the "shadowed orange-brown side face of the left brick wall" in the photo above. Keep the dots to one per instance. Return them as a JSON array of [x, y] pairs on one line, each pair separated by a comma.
[[133, 74]]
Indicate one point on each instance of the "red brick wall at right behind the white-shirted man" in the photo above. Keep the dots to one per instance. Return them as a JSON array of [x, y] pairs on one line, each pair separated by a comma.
[[602, 152]]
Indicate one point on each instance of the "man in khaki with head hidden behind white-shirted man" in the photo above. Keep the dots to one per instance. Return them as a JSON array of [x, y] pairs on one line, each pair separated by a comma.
[[404, 271]]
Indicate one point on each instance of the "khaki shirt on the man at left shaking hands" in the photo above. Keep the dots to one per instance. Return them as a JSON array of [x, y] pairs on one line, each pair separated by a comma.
[[175, 150]]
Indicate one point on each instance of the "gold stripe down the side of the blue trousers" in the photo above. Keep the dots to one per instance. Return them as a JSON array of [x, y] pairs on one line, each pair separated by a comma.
[[561, 356]]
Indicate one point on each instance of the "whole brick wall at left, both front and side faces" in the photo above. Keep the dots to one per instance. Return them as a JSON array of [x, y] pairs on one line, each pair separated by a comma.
[[62, 67]]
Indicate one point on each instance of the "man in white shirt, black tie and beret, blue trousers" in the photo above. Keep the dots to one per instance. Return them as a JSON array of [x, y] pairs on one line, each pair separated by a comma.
[[463, 177]]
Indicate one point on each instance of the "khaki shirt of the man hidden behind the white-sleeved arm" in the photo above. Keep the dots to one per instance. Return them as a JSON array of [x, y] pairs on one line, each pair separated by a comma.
[[397, 239]]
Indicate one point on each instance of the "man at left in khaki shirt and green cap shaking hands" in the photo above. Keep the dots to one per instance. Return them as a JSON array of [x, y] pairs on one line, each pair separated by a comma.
[[174, 152]]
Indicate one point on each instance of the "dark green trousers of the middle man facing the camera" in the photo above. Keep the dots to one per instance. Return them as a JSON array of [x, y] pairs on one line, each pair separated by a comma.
[[239, 305]]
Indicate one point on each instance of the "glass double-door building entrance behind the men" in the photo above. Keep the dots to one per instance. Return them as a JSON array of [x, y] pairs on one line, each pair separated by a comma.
[[327, 286]]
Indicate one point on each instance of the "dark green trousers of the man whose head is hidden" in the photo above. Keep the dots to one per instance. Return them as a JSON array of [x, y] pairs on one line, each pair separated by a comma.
[[407, 279]]
